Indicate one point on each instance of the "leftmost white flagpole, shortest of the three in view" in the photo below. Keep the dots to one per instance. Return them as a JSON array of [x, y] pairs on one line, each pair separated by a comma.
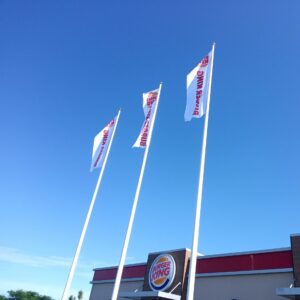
[[77, 253]]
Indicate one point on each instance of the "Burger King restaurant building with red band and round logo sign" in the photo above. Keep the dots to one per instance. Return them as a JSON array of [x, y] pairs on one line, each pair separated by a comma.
[[260, 275]]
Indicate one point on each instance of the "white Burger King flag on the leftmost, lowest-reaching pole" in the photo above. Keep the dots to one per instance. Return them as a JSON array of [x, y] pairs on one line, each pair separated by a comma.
[[101, 142]]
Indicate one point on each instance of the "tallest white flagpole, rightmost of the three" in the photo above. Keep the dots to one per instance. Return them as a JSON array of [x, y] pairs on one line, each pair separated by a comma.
[[194, 253]]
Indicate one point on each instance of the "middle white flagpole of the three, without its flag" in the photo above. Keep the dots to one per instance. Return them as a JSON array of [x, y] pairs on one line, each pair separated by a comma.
[[134, 205]]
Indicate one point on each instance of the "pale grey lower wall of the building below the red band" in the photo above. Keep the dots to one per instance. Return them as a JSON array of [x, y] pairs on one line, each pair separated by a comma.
[[213, 287]]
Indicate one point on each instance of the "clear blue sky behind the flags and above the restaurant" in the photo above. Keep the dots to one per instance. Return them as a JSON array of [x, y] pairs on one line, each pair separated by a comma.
[[65, 69]]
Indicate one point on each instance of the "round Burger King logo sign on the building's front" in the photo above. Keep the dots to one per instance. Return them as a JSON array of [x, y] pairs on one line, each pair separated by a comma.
[[162, 272]]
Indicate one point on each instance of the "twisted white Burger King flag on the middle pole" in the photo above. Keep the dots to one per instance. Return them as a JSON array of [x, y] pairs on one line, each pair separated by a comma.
[[149, 104]]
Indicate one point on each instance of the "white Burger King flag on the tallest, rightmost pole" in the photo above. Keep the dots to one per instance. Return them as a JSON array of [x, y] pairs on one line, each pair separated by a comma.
[[197, 89]]
